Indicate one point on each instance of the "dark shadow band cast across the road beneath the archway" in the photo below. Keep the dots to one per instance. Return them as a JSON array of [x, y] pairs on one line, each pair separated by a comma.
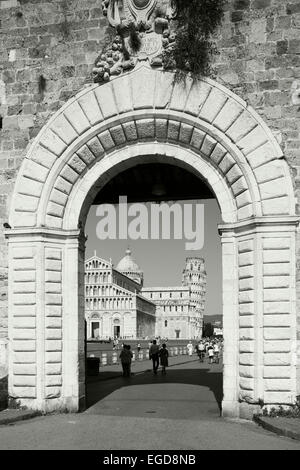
[[98, 389]]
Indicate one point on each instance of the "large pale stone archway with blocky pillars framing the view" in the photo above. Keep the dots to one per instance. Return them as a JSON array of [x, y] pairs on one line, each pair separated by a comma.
[[144, 116]]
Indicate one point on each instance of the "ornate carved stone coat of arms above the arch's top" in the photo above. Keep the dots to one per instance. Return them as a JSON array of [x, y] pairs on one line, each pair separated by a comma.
[[142, 33]]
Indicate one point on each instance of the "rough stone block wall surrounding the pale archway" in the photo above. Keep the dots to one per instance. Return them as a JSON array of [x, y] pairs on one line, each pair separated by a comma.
[[47, 51]]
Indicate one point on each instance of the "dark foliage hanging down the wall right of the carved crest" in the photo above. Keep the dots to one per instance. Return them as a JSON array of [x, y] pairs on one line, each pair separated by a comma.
[[197, 21]]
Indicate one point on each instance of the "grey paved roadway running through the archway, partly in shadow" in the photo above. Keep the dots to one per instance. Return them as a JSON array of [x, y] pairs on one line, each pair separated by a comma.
[[179, 412]]
